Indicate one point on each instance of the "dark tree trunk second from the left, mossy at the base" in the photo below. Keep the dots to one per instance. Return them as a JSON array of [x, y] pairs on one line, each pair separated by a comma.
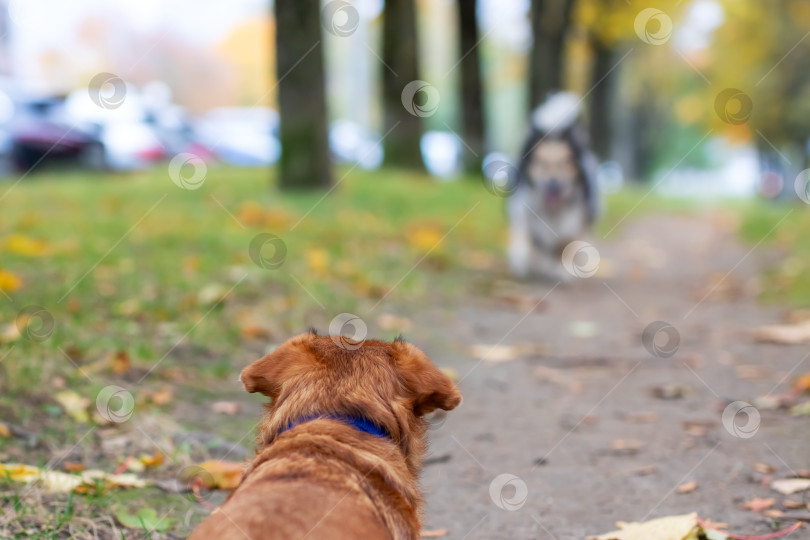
[[400, 55]]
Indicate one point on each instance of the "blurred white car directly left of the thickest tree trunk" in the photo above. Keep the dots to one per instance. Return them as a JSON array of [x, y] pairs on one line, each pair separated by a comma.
[[243, 136]]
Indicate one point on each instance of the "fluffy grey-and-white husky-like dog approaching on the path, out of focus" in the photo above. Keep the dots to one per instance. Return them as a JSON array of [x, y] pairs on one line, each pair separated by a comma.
[[555, 200]]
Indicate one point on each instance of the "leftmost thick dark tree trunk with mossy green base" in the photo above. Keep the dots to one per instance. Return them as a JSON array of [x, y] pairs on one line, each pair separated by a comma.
[[305, 159]]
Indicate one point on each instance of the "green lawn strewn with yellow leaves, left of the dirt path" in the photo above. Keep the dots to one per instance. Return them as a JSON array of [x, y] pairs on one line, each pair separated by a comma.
[[136, 266]]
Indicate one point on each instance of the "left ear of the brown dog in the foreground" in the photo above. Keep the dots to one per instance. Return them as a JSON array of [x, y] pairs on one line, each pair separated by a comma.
[[268, 374]]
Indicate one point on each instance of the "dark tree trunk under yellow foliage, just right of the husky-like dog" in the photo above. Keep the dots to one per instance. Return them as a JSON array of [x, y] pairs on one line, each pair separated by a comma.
[[600, 101]]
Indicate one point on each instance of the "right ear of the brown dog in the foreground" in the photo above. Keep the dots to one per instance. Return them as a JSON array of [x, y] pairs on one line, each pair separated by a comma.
[[430, 389]]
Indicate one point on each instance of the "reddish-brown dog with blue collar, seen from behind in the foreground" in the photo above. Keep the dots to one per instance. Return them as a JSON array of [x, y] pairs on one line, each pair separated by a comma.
[[340, 447]]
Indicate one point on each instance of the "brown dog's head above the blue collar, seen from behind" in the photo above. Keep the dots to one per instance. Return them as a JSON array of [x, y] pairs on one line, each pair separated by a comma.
[[390, 384]]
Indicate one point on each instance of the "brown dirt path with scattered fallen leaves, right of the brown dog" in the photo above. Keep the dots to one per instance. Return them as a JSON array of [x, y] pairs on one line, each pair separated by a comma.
[[567, 417]]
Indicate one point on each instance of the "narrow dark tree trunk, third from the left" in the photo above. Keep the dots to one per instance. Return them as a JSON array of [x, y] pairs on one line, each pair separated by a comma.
[[472, 94]]
